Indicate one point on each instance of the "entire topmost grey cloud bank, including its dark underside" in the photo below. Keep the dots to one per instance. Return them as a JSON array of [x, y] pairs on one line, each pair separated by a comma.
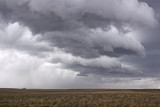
[[71, 14]]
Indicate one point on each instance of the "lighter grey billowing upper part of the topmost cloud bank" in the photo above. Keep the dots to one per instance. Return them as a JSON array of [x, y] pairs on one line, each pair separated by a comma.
[[75, 9]]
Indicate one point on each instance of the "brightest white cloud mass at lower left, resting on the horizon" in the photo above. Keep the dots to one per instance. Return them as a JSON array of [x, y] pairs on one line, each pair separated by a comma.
[[20, 70]]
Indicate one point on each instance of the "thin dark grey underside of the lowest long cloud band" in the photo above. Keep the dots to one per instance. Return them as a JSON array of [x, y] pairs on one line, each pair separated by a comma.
[[106, 72]]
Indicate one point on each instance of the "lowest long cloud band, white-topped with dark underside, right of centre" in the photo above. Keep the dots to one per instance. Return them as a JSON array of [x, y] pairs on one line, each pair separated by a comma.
[[104, 66]]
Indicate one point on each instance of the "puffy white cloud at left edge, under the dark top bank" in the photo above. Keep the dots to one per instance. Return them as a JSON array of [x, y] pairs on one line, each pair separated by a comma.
[[16, 36]]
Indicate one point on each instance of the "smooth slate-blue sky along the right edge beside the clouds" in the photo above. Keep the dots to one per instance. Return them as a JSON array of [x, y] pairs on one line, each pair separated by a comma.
[[150, 63]]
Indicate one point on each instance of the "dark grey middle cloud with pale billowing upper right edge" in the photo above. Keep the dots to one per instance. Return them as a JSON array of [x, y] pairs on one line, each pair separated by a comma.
[[94, 43]]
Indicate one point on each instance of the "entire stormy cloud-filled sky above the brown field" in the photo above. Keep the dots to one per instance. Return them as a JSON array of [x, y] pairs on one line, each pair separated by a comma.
[[76, 44]]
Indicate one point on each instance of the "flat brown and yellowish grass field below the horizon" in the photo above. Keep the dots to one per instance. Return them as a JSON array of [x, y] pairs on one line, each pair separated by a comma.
[[79, 98]]
